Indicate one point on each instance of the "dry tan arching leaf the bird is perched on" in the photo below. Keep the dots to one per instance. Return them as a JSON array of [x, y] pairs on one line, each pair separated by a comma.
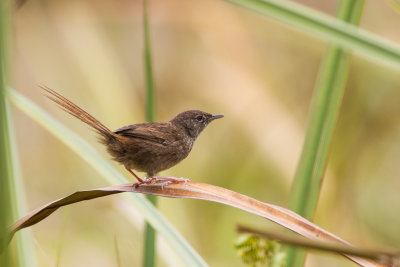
[[282, 216]]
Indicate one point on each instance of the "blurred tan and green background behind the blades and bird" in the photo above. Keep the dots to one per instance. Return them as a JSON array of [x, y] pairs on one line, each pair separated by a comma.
[[217, 57]]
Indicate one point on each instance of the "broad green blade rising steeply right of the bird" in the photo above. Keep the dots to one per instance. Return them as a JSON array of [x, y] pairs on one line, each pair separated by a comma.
[[324, 112]]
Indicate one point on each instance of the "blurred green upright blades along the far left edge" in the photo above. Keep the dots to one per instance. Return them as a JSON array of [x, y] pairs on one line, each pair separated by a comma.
[[11, 186]]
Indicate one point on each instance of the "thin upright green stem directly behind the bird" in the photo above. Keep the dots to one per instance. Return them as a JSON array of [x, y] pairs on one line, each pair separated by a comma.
[[149, 256]]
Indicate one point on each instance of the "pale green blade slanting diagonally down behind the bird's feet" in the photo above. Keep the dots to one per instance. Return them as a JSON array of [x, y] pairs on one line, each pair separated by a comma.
[[84, 150]]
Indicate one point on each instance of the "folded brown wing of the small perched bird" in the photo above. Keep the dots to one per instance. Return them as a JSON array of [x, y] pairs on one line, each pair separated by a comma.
[[153, 132]]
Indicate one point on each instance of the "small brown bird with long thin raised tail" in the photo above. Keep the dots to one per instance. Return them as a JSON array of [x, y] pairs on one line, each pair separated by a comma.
[[148, 147]]
